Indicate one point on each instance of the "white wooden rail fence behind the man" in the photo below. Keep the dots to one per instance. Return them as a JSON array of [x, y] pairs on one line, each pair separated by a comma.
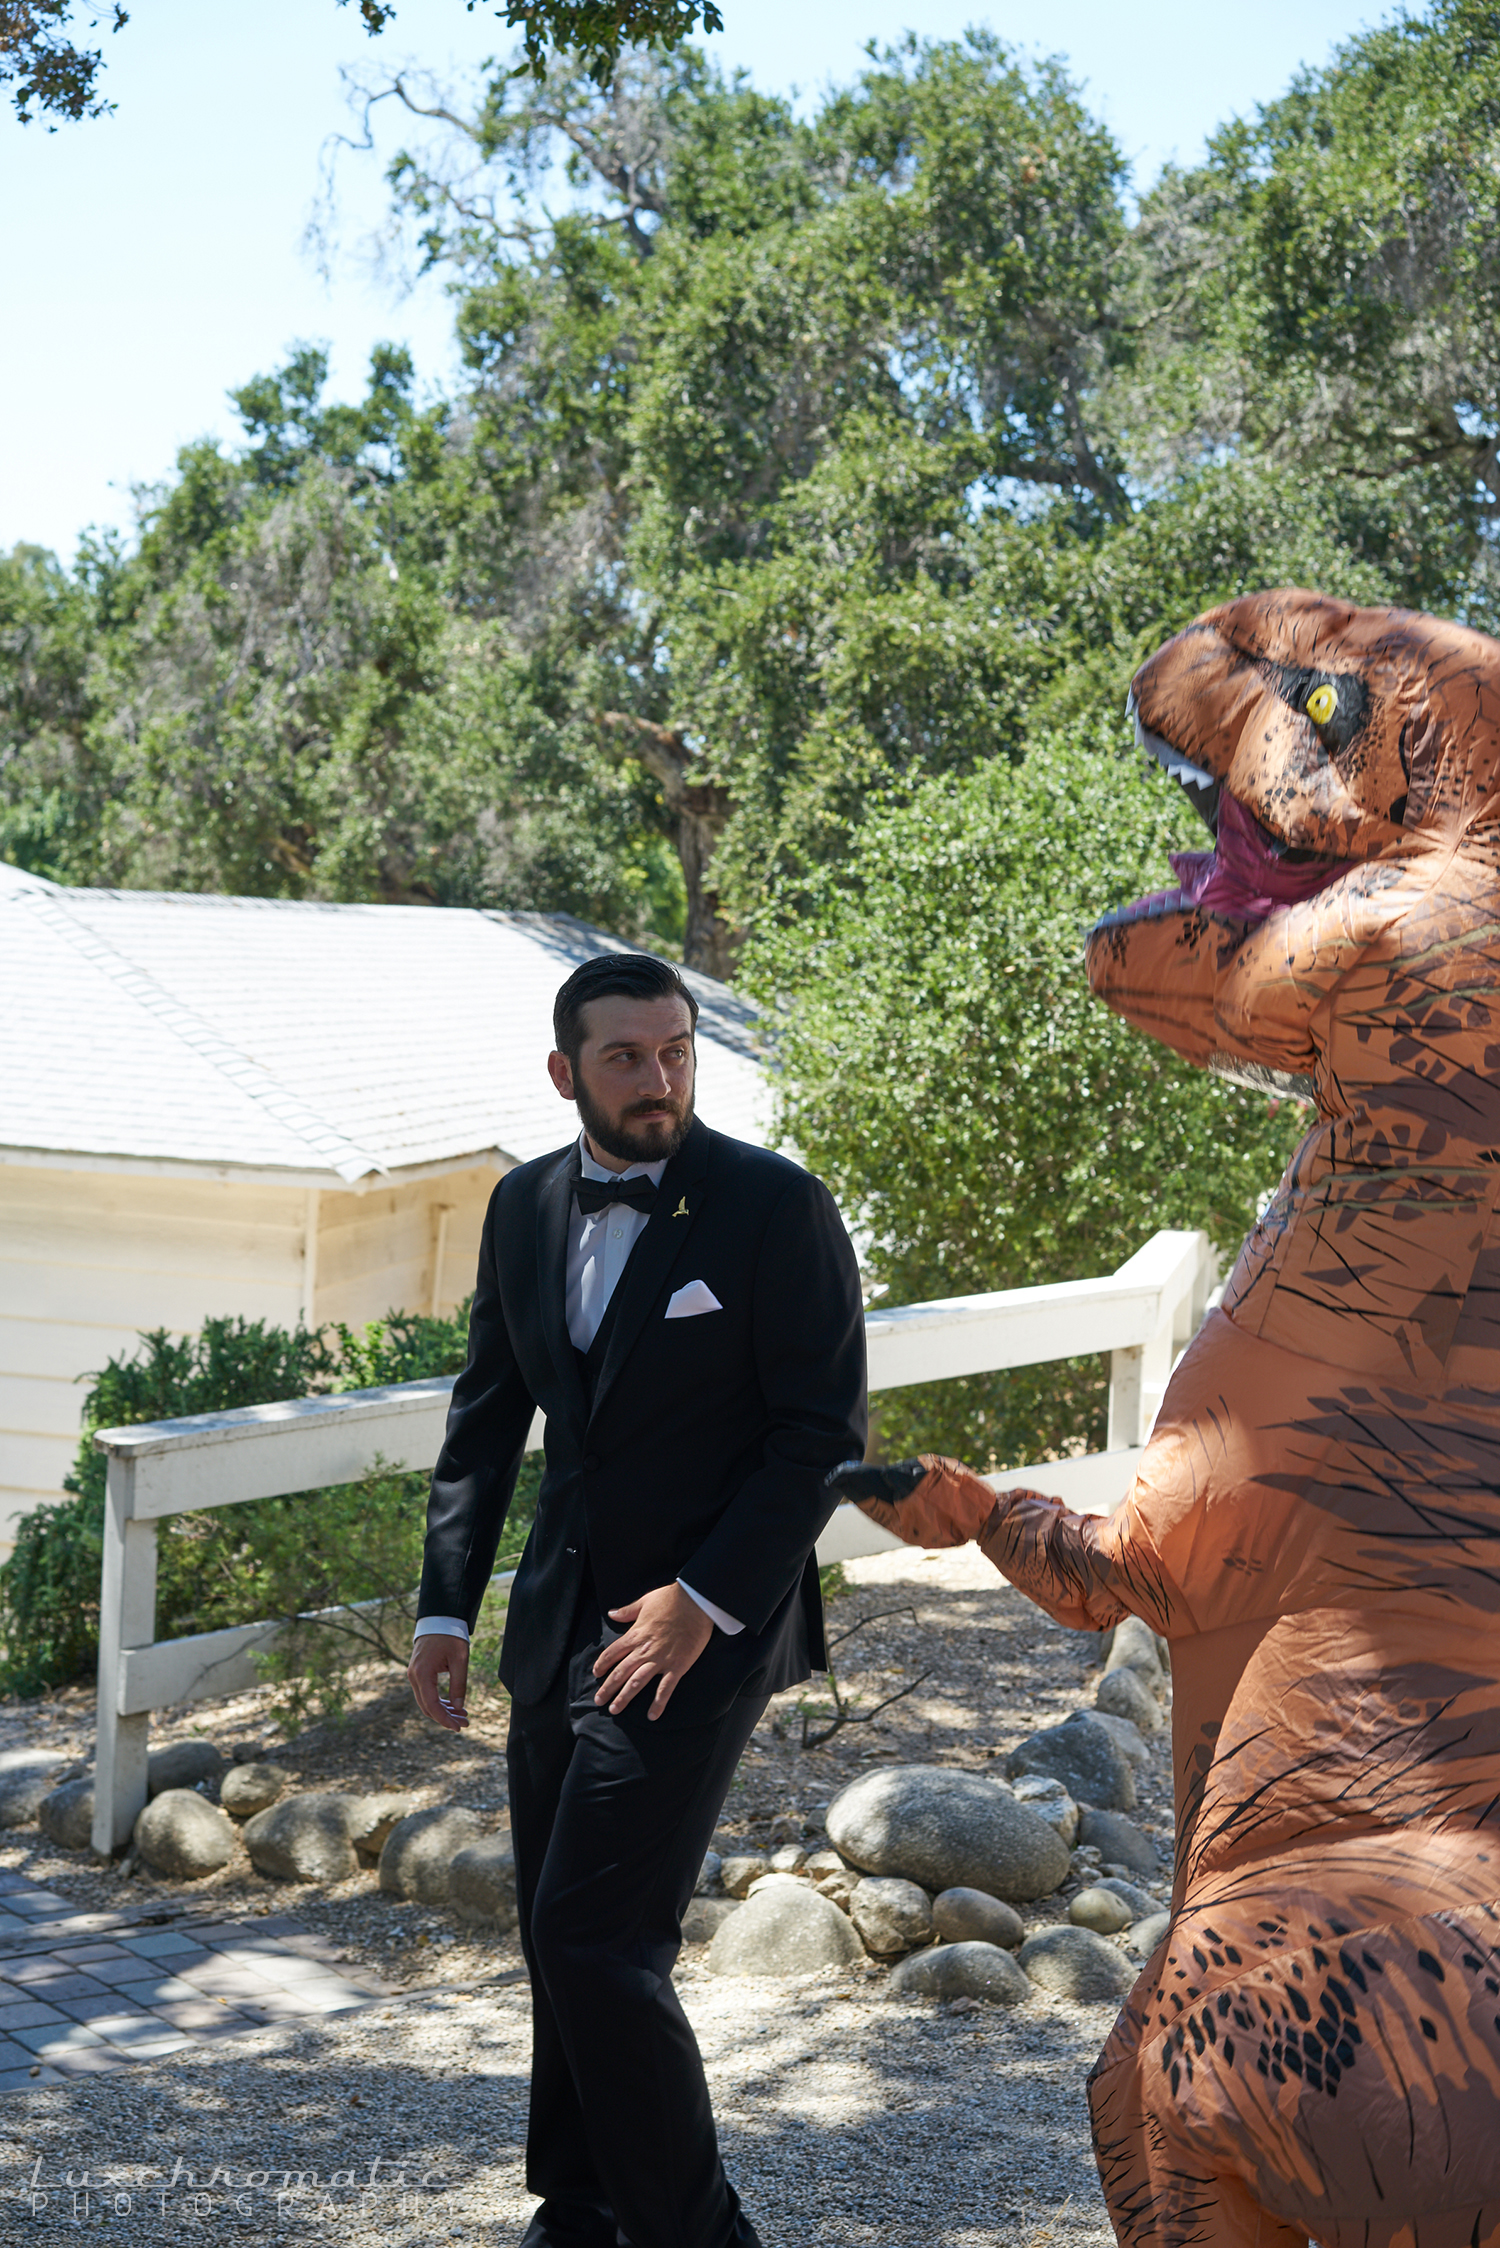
[[1144, 1316]]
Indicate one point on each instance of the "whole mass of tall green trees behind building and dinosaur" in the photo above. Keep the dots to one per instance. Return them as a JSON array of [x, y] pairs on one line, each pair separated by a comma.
[[795, 462]]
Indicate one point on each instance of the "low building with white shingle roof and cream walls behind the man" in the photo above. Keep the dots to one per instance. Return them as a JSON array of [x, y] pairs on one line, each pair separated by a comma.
[[237, 1107]]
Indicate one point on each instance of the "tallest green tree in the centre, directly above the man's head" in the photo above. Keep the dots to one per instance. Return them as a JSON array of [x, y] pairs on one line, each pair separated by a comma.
[[739, 325]]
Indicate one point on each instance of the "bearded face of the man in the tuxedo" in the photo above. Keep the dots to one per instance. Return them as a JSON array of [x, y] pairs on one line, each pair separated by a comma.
[[633, 1078]]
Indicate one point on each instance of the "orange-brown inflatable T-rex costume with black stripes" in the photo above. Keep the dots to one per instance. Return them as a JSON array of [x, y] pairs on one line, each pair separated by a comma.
[[1314, 2051]]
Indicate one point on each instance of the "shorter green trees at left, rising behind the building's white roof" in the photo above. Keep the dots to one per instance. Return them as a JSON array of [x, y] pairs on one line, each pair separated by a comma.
[[275, 694]]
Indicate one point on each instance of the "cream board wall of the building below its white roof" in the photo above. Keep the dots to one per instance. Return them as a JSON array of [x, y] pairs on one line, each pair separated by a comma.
[[91, 1260]]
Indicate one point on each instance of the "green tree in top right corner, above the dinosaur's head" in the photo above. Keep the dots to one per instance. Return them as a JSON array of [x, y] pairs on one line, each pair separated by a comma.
[[1328, 287]]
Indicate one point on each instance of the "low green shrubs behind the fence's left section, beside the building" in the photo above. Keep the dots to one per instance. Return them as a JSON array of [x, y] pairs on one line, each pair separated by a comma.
[[275, 1559]]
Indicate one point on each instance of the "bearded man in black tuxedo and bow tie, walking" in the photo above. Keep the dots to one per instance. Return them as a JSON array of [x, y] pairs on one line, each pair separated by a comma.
[[687, 1314]]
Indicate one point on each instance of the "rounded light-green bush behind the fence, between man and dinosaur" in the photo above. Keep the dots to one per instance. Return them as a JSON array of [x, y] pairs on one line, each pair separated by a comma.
[[950, 1076]]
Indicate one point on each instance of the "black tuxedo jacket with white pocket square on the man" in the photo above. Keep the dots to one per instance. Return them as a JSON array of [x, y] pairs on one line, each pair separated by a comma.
[[705, 1447]]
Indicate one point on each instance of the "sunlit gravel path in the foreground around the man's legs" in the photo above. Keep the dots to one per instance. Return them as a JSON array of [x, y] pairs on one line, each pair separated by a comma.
[[847, 2121]]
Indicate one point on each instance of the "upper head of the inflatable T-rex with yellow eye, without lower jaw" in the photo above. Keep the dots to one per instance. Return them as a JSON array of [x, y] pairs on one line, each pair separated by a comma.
[[1314, 736]]
